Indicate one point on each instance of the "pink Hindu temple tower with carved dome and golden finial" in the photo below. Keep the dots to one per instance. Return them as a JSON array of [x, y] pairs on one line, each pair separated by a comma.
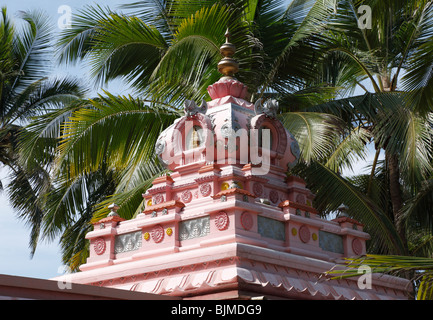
[[227, 222]]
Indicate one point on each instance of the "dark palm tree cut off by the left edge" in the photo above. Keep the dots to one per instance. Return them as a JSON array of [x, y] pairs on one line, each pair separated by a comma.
[[27, 92]]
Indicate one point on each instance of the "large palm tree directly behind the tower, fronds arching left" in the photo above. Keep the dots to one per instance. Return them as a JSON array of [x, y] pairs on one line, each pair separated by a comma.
[[168, 52]]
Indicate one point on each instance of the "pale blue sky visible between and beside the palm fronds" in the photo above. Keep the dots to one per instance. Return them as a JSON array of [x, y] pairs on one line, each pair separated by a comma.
[[14, 234]]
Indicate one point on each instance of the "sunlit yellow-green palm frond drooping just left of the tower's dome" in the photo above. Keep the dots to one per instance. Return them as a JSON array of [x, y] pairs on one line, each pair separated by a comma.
[[121, 131]]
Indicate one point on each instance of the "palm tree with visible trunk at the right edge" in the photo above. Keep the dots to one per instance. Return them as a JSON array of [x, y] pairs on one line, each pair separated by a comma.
[[391, 58]]
